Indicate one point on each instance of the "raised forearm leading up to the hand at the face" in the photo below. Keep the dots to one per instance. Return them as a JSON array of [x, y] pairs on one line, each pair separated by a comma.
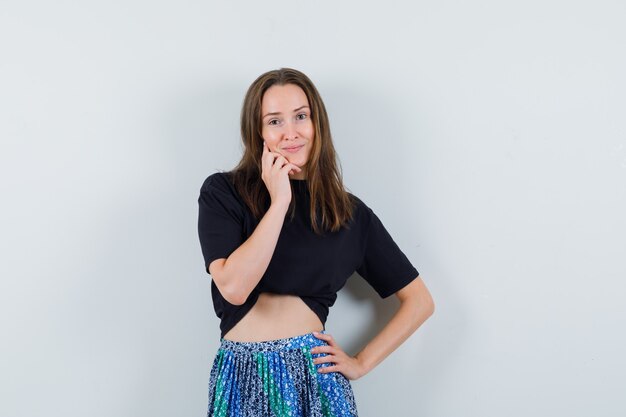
[[244, 268]]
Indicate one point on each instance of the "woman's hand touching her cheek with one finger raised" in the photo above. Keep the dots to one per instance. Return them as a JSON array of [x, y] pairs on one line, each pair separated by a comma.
[[275, 170]]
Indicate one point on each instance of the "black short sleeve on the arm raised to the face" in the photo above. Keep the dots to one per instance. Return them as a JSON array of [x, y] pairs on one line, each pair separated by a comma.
[[220, 219]]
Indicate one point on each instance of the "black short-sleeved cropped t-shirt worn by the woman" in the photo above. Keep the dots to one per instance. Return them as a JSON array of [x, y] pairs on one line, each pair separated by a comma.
[[305, 264]]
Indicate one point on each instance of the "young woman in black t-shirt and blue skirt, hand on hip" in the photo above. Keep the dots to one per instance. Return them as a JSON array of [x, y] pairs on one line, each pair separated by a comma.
[[280, 236]]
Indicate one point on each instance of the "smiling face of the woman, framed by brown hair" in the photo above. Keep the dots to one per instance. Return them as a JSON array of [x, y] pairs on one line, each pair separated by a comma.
[[286, 122]]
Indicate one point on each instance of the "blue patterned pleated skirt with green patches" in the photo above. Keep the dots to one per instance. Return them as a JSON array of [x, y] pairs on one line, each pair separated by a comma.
[[277, 378]]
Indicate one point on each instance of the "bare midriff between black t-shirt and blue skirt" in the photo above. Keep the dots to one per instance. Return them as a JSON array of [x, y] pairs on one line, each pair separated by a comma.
[[275, 316]]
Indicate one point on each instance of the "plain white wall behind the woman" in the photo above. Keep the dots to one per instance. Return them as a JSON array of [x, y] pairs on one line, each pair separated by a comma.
[[489, 137]]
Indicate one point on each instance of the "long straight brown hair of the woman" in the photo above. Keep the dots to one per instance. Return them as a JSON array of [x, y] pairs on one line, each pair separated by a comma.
[[329, 199]]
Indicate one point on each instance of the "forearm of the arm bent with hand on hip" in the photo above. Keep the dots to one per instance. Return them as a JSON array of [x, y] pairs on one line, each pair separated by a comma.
[[405, 321]]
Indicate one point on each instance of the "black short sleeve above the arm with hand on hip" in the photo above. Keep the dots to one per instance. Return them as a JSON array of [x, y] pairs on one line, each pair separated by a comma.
[[384, 266]]
